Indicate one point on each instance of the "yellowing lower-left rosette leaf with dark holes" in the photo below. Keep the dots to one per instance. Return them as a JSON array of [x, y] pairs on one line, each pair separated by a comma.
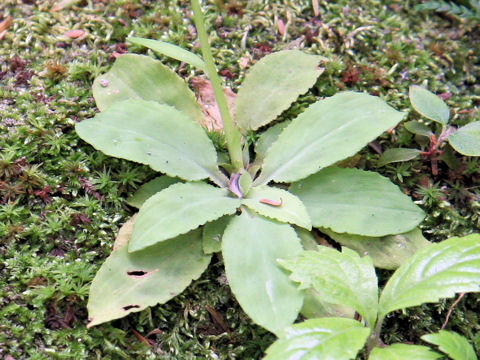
[[129, 283]]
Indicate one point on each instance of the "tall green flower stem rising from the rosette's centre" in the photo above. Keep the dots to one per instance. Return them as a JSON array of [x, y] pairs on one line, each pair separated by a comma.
[[231, 132]]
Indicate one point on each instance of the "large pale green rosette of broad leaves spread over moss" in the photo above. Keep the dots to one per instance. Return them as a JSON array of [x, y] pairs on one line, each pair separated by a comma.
[[254, 213]]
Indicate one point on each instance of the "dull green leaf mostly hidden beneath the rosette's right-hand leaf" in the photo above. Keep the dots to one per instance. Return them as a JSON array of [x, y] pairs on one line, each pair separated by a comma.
[[387, 252]]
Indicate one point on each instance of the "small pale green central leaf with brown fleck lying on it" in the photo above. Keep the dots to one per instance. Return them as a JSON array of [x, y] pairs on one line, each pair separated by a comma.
[[286, 208]]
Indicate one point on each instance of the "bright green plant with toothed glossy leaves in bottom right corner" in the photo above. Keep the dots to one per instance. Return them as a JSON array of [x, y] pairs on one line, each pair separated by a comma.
[[345, 279]]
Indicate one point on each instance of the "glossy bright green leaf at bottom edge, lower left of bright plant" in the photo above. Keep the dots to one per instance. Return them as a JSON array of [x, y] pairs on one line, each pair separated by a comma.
[[329, 338]]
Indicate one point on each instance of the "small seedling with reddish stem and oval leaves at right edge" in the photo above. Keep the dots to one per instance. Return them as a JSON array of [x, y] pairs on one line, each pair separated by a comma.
[[465, 140]]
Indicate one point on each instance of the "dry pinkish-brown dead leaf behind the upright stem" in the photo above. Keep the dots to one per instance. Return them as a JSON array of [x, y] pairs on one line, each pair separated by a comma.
[[206, 100]]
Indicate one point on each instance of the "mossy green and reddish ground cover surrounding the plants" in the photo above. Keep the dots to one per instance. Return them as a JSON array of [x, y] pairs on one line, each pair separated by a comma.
[[62, 202]]
